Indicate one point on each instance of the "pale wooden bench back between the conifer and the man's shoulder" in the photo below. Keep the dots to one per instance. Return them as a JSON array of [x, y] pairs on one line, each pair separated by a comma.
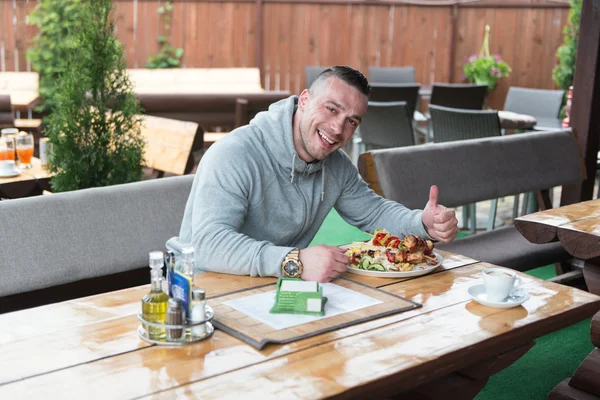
[[169, 144]]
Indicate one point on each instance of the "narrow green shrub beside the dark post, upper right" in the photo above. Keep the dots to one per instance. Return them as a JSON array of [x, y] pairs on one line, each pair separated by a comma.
[[567, 53]]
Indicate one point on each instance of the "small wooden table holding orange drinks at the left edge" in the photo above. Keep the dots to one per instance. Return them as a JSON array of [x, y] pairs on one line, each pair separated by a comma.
[[29, 182]]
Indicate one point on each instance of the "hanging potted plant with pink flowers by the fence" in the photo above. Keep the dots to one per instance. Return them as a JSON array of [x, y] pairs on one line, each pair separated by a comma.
[[485, 69]]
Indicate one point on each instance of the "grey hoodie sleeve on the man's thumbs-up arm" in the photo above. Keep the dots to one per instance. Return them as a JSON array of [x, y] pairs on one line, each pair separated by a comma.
[[360, 206]]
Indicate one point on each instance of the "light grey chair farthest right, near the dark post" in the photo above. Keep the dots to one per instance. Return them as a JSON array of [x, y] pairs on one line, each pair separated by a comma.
[[544, 105]]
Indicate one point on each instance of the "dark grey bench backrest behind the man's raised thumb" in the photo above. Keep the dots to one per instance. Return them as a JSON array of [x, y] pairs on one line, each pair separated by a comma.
[[468, 171]]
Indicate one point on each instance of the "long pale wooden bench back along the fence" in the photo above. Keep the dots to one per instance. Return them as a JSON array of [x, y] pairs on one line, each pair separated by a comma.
[[196, 80]]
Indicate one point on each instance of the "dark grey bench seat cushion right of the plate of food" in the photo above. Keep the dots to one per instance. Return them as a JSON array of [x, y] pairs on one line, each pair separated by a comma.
[[507, 247]]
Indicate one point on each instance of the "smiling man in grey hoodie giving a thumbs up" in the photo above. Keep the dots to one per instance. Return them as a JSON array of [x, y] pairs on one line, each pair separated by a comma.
[[262, 192]]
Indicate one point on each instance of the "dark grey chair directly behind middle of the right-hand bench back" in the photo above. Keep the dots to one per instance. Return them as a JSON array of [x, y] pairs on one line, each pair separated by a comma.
[[451, 124]]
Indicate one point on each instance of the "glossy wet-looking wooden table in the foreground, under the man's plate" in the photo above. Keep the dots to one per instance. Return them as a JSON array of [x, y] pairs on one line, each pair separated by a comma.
[[448, 347]]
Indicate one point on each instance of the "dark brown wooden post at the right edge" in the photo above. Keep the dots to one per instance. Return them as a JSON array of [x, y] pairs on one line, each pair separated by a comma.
[[585, 119]]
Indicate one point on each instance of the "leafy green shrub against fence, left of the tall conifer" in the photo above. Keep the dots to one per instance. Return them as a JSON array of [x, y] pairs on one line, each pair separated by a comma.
[[56, 20]]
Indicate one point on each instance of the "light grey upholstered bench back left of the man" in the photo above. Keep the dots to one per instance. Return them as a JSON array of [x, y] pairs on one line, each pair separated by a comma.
[[72, 244]]
